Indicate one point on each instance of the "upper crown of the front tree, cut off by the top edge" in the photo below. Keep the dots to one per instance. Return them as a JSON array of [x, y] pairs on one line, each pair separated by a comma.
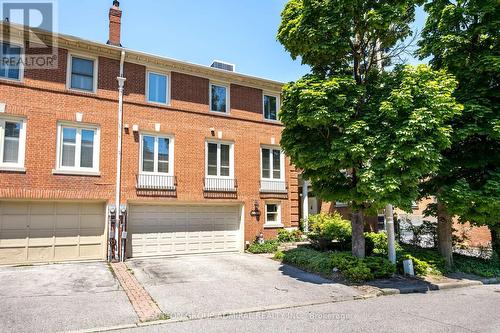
[[321, 31]]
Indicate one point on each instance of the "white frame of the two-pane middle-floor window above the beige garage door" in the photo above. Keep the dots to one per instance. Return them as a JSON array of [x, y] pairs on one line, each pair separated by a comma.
[[97, 149]]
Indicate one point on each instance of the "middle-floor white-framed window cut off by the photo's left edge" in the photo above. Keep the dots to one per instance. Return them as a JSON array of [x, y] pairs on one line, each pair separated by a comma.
[[12, 143]]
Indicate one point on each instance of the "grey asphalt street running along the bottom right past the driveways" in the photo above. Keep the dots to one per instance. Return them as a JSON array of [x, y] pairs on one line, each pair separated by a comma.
[[475, 309]]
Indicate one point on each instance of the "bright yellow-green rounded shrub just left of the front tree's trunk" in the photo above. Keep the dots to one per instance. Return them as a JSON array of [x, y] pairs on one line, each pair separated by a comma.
[[326, 228]]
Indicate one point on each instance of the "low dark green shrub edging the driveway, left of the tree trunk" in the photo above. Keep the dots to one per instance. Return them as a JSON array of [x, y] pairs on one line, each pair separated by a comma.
[[309, 260]]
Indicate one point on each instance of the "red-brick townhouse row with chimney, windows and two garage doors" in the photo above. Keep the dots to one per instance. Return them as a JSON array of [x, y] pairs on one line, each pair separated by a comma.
[[200, 154]]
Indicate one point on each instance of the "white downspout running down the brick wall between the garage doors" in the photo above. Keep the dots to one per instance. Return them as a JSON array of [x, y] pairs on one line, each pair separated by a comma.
[[121, 84]]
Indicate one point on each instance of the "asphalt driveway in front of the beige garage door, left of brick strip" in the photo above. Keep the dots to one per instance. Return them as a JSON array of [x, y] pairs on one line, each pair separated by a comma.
[[61, 297]]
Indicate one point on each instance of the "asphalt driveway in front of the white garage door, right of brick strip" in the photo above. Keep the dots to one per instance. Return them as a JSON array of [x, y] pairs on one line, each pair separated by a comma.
[[198, 286]]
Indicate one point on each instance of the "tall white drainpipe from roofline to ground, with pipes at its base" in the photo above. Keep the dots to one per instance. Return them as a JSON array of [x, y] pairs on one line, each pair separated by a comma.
[[121, 83]]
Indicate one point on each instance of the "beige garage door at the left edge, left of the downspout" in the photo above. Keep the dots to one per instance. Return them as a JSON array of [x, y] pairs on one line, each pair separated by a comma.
[[51, 231]]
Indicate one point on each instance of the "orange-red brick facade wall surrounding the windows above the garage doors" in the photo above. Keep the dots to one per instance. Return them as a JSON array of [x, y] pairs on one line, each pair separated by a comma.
[[44, 100]]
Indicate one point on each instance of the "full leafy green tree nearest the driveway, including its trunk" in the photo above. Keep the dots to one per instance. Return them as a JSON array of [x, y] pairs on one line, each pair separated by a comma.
[[361, 135]]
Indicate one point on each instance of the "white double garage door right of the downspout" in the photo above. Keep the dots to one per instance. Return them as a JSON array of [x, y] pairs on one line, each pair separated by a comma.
[[170, 230]]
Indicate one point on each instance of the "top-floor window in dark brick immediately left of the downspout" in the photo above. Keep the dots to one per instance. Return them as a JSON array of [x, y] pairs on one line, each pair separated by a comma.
[[82, 74]]
